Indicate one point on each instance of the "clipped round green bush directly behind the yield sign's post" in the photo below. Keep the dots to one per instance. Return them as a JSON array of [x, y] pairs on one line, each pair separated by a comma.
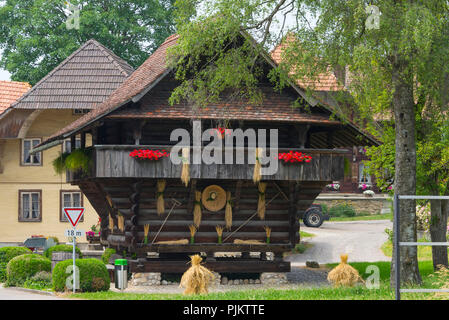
[[93, 275]]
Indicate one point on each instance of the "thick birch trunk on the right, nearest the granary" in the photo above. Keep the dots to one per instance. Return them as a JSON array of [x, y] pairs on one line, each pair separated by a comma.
[[405, 169]]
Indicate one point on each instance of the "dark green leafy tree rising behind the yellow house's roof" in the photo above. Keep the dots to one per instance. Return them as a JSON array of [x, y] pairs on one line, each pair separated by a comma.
[[35, 38]]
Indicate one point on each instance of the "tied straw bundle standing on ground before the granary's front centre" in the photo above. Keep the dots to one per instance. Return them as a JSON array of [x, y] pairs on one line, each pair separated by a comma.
[[197, 279]]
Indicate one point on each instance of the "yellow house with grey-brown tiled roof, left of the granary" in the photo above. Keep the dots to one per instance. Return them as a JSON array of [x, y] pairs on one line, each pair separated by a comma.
[[32, 195]]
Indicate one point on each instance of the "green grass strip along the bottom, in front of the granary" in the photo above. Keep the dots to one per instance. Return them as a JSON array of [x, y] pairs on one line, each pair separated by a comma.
[[324, 293]]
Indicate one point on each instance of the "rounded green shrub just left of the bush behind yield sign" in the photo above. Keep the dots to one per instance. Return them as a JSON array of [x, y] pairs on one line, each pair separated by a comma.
[[23, 267]]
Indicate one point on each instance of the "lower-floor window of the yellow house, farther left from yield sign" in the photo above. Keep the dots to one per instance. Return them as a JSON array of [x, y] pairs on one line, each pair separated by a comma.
[[30, 205]]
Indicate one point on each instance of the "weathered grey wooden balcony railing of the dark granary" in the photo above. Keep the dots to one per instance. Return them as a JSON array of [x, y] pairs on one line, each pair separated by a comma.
[[114, 161]]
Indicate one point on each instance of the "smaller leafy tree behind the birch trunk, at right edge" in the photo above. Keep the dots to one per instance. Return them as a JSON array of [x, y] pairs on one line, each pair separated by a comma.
[[432, 170]]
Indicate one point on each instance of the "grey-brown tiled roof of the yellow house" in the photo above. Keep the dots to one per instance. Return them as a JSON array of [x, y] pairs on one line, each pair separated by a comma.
[[82, 81]]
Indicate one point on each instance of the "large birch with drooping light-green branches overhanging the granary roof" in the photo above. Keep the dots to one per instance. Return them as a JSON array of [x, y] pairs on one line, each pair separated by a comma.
[[404, 57]]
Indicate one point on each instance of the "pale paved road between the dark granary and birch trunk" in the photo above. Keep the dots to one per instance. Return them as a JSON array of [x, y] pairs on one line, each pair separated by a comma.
[[360, 239]]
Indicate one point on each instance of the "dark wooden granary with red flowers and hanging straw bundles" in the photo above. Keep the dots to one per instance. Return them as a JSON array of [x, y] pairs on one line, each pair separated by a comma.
[[147, 202]]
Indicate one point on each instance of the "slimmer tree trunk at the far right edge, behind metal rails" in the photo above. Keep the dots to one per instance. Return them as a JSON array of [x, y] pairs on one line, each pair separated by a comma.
[[438, 227]]
